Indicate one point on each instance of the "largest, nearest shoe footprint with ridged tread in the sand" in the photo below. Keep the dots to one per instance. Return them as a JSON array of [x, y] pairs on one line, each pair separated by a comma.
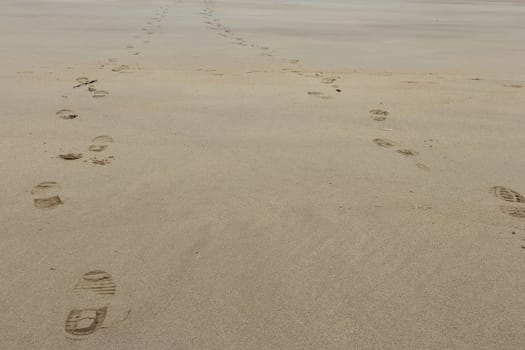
[[93, 294]]
